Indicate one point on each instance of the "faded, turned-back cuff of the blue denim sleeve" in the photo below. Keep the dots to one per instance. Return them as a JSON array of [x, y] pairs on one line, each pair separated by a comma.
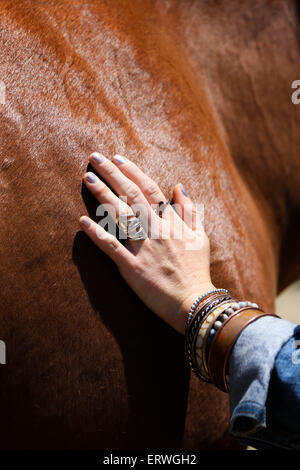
[[250, 366]]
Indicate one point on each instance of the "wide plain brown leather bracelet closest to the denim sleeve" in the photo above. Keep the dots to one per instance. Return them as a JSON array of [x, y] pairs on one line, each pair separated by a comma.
[[224, 341]]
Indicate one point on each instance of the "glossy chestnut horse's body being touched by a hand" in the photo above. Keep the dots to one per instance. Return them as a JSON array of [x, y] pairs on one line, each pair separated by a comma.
[[193, 91]]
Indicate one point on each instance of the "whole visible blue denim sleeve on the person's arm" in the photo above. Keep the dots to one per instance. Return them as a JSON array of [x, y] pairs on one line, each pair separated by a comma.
[[264, 385]]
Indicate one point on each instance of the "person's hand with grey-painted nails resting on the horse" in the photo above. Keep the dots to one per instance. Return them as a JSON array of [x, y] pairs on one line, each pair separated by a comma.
[[169, 269]]
